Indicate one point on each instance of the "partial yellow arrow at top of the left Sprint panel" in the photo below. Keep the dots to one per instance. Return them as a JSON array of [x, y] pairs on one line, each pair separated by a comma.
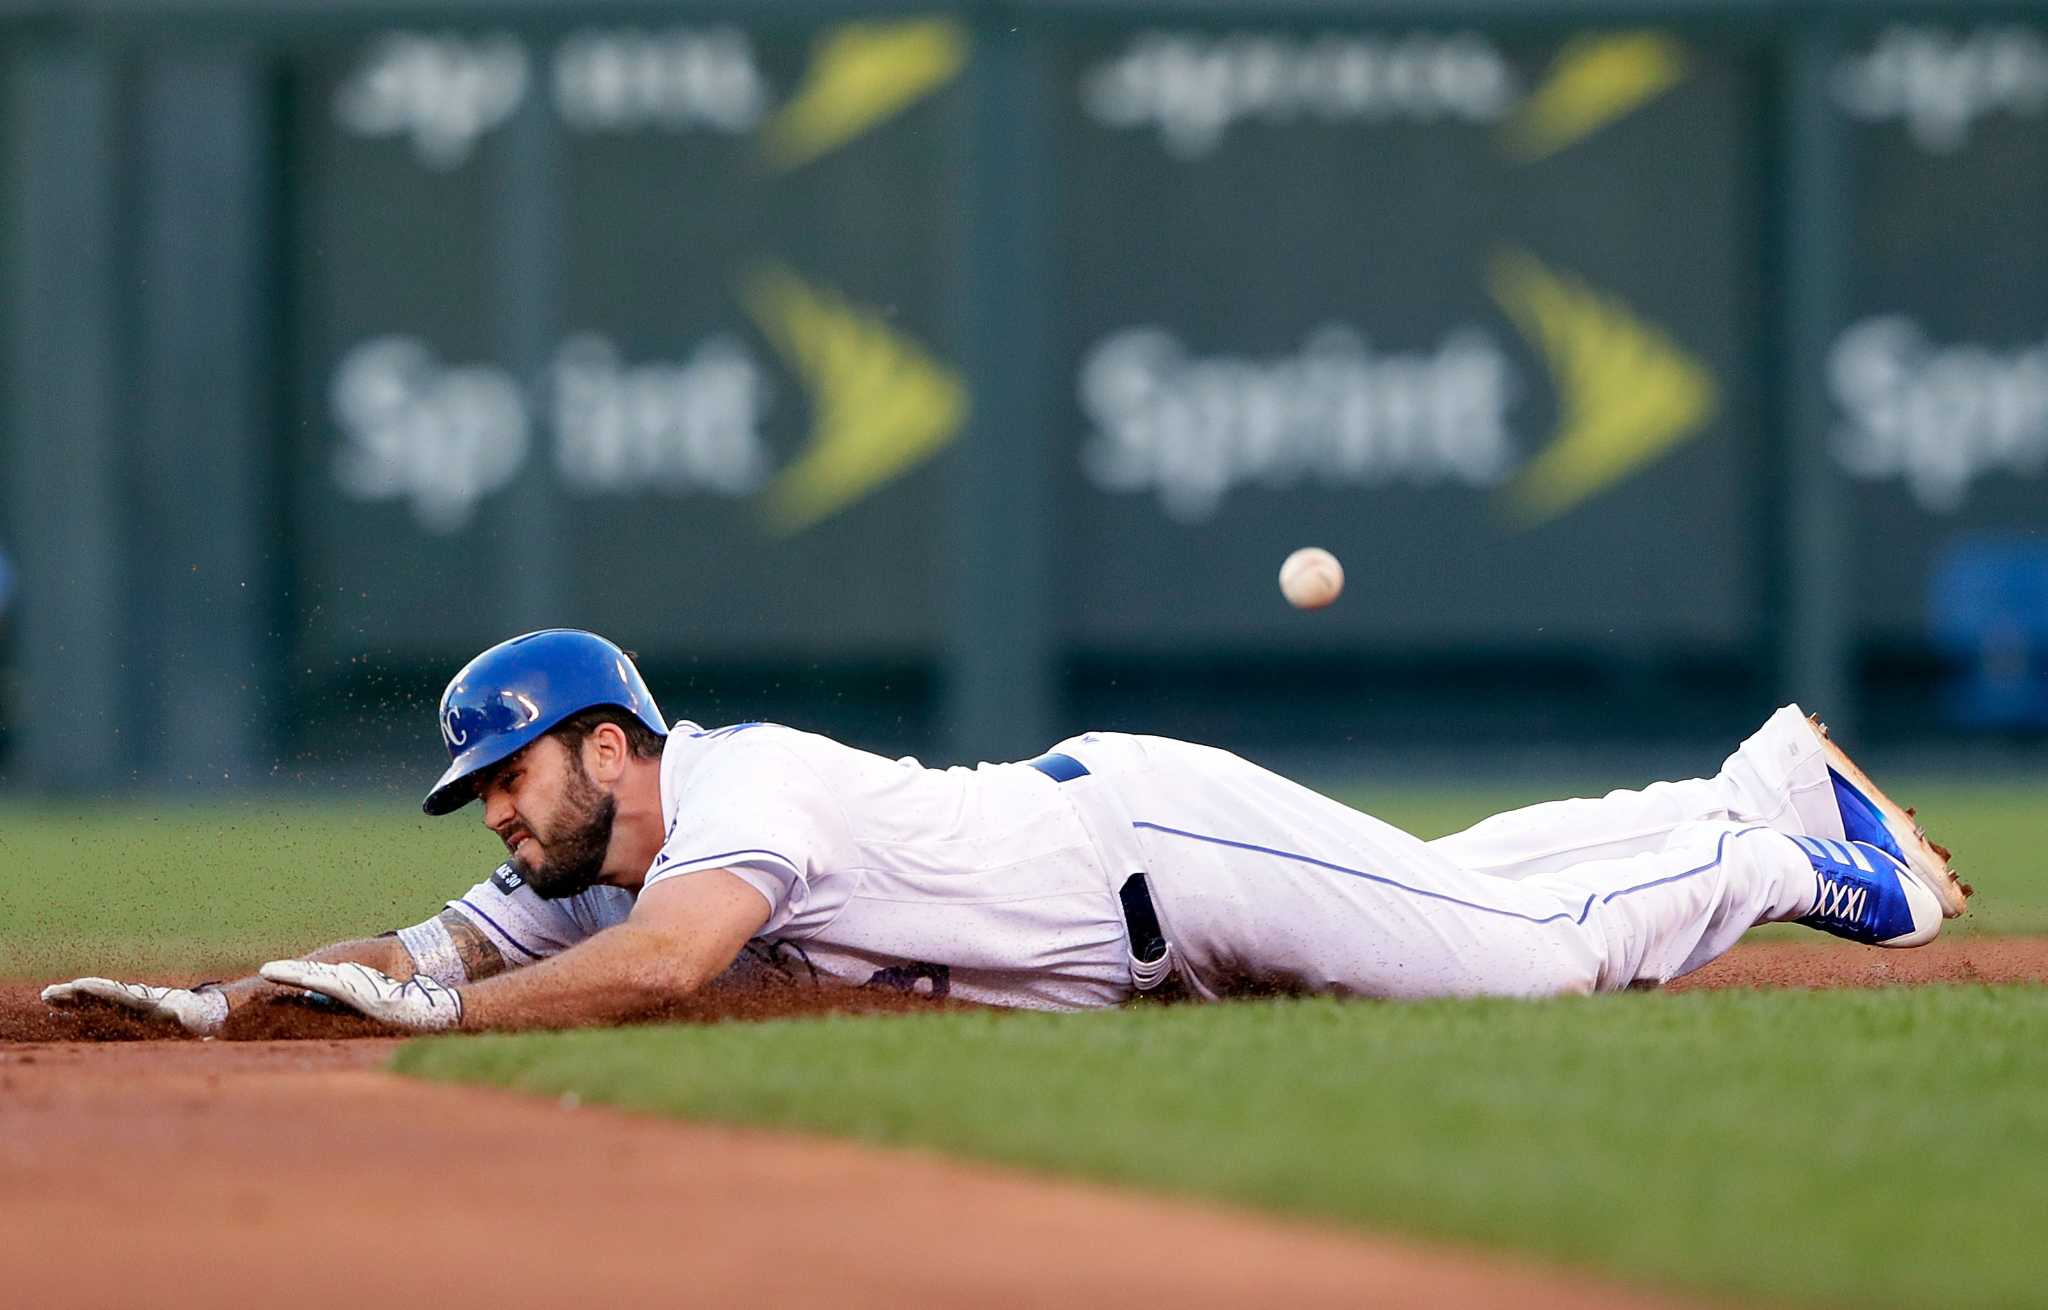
[[861, 75]]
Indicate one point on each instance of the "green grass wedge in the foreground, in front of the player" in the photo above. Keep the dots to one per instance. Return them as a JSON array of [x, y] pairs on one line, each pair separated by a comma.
[[1871, 1149]]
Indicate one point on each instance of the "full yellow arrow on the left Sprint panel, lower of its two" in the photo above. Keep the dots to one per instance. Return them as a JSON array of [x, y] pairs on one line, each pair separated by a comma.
[[880, 404]]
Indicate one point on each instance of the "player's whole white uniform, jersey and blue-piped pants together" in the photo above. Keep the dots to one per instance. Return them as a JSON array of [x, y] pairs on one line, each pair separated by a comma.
[[998, 883]]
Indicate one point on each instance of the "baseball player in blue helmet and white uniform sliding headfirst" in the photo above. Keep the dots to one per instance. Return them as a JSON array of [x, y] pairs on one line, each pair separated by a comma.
[[650, 861]]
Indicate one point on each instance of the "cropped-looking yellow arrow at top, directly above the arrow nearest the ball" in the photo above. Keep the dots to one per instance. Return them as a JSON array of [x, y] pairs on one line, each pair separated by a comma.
[[1592, 83]]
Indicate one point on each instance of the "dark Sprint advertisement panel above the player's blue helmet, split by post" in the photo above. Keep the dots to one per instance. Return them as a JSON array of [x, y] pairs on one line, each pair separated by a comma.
[[728, 431]]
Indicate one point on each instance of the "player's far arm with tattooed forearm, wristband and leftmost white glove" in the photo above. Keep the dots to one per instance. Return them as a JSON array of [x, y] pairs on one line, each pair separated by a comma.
[[206, 1008]]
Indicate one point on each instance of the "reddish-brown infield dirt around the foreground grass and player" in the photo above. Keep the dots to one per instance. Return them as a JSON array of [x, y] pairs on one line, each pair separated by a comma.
[[202, 1174]]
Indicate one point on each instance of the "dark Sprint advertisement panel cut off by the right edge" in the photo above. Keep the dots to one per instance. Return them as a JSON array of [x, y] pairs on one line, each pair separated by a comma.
[[1940, 378]]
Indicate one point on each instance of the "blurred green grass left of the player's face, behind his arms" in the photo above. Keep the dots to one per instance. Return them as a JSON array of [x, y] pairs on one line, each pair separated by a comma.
[[175, 887]]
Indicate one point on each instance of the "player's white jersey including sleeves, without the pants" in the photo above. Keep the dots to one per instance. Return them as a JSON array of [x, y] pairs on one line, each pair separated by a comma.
[[970, 883]]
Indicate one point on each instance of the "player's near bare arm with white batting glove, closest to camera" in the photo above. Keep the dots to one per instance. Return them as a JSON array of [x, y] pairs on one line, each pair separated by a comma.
[[683, 934]]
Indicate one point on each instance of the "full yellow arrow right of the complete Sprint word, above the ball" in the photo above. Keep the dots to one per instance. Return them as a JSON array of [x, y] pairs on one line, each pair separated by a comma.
[[1625, 392]]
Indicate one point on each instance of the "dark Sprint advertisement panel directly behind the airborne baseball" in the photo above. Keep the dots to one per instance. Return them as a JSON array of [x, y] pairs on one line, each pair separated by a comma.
[[1476, 314]]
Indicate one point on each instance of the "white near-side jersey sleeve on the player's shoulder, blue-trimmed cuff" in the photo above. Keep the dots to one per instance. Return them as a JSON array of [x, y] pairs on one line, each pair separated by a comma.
[[759, 812]]
